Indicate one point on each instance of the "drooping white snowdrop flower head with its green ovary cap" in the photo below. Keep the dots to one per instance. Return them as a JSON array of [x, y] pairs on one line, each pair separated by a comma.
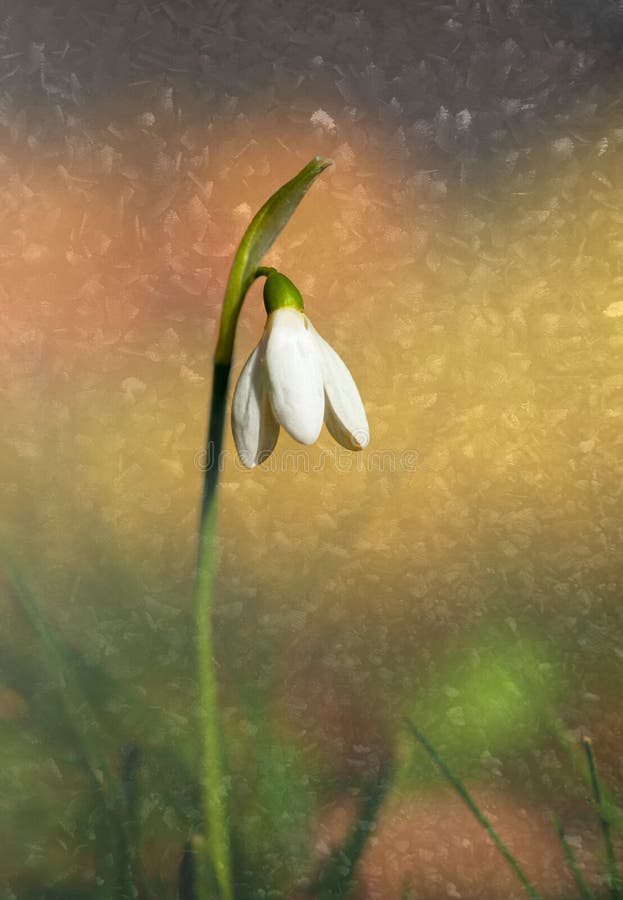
[[295, 379]]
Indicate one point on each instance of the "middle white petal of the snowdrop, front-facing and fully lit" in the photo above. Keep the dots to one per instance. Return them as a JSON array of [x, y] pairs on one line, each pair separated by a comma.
[[294, 374]]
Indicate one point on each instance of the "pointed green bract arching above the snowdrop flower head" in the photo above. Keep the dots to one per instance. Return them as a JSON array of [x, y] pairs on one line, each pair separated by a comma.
[[259, 237]]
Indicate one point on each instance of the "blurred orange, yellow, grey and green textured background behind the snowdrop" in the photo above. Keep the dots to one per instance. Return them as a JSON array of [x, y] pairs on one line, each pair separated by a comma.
[[463, 255]]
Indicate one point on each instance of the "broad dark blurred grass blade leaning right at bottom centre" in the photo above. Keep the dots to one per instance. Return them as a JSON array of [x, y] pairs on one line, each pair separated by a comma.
[[336, 880]]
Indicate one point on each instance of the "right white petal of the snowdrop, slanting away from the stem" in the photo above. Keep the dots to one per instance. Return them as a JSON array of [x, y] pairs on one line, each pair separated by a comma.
[[345, 416]]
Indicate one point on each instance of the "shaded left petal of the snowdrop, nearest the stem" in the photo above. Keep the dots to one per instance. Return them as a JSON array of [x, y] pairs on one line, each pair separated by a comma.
[[253, 424]]
